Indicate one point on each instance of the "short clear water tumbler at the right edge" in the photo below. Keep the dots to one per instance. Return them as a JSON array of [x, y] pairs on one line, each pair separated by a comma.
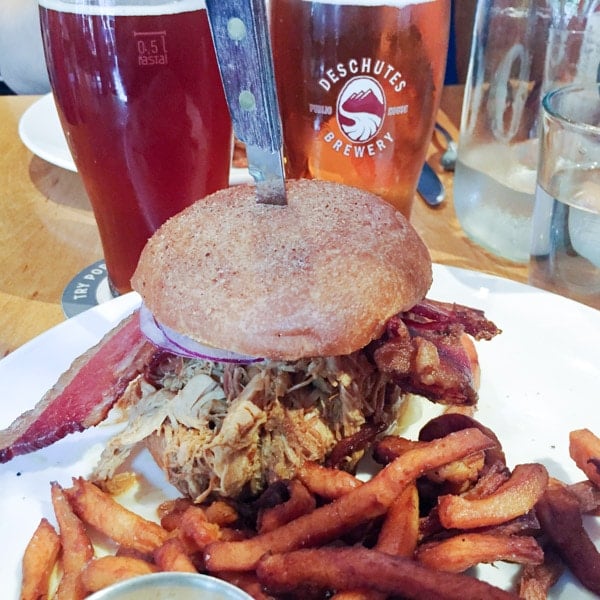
[[565, 249]]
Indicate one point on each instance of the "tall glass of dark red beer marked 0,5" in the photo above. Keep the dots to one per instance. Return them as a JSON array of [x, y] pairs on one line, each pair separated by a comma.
[[140, 99]]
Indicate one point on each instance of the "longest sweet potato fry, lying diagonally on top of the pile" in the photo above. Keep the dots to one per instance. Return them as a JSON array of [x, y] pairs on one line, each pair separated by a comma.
[[370, 500]]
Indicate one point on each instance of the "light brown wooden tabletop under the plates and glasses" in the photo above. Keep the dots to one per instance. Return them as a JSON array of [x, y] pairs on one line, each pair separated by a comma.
[[48, 232]]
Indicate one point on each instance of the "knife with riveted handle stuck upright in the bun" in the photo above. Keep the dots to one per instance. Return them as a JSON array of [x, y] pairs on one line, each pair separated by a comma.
[[241, 38]]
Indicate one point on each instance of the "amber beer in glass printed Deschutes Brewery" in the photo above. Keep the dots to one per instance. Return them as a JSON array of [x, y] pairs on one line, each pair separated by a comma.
[[359, 85]]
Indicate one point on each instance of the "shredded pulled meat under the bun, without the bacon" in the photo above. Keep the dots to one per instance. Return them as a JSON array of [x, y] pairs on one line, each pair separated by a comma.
[[233, 429]]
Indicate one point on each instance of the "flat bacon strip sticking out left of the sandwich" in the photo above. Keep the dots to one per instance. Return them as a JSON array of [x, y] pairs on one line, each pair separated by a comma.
[[84, 394]]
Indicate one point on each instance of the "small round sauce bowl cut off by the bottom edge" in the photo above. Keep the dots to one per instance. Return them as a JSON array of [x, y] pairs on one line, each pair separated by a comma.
[[171, 586]]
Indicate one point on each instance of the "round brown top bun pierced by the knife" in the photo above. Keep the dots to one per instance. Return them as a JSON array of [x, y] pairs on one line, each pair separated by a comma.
[[318, 277]]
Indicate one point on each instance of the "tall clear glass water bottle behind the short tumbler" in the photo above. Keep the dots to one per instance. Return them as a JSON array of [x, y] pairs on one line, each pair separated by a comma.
[[521, 48]]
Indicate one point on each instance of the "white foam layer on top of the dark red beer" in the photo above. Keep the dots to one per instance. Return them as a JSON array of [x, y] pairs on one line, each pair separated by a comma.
[[122, 8]]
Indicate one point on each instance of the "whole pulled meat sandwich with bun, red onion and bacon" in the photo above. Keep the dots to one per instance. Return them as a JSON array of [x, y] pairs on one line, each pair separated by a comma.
[[276, 335]]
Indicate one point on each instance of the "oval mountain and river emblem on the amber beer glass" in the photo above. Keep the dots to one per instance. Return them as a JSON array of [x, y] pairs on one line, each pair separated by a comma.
[[361, 109]]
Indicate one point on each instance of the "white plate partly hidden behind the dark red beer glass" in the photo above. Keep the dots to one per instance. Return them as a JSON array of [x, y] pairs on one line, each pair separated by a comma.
[[41, 132]]
